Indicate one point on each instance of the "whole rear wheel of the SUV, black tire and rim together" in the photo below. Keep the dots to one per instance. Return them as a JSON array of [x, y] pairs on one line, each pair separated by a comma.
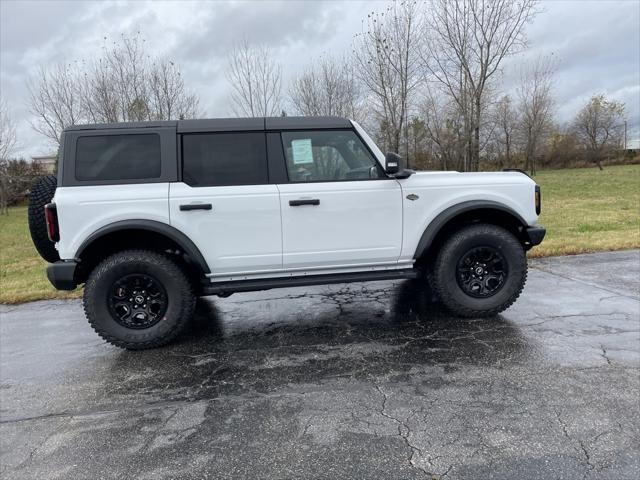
[[138, 299]]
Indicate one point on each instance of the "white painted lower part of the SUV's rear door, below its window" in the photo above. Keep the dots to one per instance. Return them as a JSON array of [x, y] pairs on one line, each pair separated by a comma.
[[242, 232]]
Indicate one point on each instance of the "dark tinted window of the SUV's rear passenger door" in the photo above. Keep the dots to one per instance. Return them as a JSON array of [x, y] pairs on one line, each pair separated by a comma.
[[218, 159]]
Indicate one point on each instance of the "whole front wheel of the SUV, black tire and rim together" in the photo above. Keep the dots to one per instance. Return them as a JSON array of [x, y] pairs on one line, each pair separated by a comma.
[[480, 271]]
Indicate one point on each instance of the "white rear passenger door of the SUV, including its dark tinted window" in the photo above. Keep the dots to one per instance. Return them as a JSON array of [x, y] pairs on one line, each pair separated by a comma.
[[225, 203]]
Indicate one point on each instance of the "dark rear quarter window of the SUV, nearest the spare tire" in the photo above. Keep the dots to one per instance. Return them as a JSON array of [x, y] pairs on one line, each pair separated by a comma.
[[118, 157]]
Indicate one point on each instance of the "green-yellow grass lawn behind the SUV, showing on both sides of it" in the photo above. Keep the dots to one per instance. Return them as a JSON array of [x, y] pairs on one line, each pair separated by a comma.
[[584, 210]]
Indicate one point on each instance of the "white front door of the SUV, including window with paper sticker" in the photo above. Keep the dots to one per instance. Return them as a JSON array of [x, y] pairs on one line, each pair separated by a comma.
[[339, 210]]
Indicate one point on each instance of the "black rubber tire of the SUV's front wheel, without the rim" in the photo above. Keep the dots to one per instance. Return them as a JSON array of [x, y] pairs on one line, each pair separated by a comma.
[[444, 270]]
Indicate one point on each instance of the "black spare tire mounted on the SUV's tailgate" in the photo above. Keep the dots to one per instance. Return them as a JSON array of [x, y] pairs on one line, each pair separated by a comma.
[[41, 194]]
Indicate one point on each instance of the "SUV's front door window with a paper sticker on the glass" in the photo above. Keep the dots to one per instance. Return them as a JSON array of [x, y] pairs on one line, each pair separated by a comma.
[[328, 156]]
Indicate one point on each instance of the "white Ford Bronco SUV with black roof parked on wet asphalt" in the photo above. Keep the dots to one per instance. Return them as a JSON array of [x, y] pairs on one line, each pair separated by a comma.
[[151, 215]]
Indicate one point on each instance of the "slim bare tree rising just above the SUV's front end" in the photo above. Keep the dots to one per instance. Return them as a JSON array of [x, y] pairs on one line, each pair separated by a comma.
[[536, 109]]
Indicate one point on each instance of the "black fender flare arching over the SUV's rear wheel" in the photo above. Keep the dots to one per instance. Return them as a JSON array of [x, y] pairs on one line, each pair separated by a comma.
[[185, 243]]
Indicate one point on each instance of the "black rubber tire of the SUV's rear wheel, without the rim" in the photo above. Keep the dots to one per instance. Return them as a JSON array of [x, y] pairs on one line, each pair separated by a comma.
[[180, 305]]
